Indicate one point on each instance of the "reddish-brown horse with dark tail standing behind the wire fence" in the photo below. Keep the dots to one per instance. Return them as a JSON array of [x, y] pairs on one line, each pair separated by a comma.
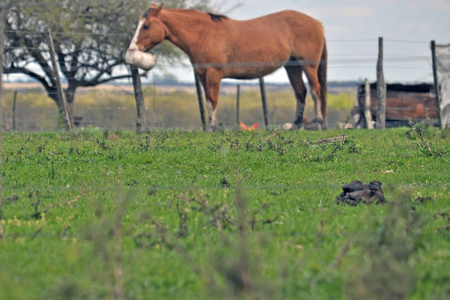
[[219, 47]]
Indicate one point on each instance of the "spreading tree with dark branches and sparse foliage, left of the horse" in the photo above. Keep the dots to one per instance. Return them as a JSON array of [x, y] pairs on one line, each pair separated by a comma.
[[90, 39]]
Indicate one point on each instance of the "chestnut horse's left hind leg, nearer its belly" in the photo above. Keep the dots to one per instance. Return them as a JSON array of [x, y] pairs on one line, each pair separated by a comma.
[[295, 77]]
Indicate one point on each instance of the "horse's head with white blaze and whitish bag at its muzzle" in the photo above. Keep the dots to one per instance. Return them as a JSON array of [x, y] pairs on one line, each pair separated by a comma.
[[149, 33]]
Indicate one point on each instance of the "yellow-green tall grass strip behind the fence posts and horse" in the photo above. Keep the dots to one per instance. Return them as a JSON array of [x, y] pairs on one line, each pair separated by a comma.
[[116, 108]]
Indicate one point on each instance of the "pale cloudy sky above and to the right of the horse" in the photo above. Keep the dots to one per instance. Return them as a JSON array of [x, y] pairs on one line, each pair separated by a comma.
[[352, 29]]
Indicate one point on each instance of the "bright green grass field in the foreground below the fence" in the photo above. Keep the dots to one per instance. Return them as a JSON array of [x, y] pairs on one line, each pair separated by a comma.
[[224, 215]]
